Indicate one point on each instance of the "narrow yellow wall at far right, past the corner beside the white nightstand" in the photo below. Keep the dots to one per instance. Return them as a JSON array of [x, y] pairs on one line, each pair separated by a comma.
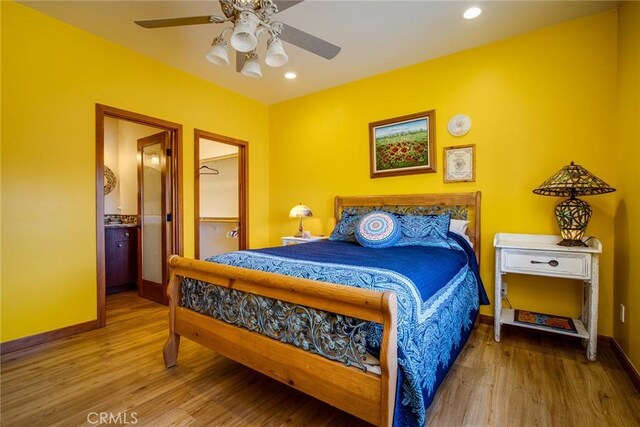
[[627, 214]]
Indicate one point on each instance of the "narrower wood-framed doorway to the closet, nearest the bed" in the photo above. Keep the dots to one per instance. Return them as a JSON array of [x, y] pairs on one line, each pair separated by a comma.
[[220, 200]]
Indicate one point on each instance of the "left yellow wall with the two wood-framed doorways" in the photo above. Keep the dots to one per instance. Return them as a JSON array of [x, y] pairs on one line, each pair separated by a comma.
[[52, 77]]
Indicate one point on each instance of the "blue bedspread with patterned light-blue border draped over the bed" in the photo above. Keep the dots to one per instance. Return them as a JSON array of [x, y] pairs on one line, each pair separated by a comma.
[[438, 293]]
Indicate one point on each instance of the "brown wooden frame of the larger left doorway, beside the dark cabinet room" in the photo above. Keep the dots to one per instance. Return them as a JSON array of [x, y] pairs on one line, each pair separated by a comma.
[[175, 130]]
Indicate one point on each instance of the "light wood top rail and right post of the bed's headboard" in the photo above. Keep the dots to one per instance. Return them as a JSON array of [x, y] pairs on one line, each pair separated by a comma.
[[460, 205]]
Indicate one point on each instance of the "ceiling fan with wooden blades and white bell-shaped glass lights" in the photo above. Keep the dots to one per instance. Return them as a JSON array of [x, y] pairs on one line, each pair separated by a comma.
[[250, 19]]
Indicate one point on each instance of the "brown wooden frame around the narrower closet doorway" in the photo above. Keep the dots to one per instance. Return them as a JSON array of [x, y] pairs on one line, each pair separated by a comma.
[[243, 185]]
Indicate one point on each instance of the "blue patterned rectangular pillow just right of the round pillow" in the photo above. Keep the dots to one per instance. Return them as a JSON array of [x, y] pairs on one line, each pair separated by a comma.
[[425, 230]]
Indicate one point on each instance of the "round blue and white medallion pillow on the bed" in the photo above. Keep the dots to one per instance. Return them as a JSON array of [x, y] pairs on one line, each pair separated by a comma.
[[378, 230]]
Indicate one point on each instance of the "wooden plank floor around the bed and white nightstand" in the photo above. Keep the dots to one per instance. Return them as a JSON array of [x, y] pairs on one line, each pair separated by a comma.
[[117, 373]]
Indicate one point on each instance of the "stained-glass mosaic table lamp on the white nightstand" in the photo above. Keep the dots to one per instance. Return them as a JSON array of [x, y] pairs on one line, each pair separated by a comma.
[[573, 214]]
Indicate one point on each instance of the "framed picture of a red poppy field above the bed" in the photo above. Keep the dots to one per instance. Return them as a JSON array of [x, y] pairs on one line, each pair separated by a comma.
[[403, 145]]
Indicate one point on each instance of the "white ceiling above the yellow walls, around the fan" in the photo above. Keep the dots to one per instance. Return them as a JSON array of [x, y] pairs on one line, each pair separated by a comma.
[[375, 36]]
